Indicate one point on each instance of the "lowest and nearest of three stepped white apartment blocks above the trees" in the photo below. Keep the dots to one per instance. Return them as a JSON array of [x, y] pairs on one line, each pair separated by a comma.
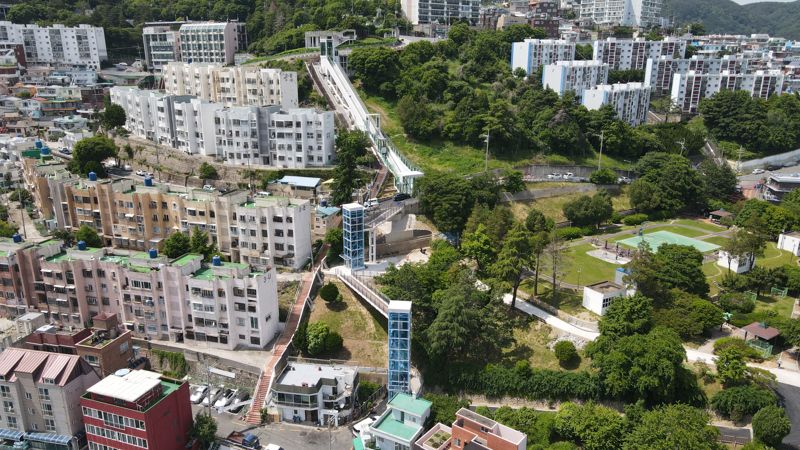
[[629, 100]]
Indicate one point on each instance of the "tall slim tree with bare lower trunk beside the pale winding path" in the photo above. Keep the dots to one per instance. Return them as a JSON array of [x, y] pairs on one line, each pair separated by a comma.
[[514, 259]]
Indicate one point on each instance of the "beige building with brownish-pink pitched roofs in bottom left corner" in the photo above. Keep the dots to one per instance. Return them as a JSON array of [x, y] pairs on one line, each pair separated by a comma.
[[41, 394]]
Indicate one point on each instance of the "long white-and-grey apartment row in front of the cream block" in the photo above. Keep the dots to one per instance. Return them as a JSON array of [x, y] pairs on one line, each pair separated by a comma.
[[242, 135]]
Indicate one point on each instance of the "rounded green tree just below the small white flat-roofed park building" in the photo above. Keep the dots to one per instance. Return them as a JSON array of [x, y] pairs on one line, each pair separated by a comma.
[[626, 316]]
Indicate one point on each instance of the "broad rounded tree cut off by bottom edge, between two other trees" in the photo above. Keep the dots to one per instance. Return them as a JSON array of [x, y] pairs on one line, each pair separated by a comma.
[[672, 427]]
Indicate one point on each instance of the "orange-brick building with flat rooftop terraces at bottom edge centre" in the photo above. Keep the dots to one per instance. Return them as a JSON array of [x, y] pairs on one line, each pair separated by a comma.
[[472, 431]]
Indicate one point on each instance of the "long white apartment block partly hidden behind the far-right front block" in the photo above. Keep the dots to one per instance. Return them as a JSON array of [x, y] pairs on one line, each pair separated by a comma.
[[659, 72]]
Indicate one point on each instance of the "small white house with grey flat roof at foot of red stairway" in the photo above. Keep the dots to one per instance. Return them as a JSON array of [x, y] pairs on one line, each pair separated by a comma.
[[315, 393]]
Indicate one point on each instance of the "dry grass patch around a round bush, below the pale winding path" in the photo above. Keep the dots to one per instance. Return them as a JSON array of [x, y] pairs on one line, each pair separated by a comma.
[[531, 337]]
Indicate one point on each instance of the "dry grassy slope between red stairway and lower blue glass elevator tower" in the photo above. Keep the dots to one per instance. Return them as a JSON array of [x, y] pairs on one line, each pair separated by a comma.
[[363, 333]]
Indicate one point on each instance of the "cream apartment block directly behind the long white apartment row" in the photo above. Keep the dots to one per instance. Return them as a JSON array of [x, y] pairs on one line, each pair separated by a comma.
[[232, 86]]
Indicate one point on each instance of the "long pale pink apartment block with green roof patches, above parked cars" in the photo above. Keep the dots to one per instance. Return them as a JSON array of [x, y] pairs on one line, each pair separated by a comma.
[[222, 305]]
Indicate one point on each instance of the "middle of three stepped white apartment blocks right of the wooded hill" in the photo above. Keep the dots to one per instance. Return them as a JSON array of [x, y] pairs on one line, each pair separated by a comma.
[[576, 76]]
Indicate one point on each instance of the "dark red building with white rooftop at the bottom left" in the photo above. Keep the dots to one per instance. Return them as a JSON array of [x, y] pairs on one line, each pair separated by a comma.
[[135, 410]]
